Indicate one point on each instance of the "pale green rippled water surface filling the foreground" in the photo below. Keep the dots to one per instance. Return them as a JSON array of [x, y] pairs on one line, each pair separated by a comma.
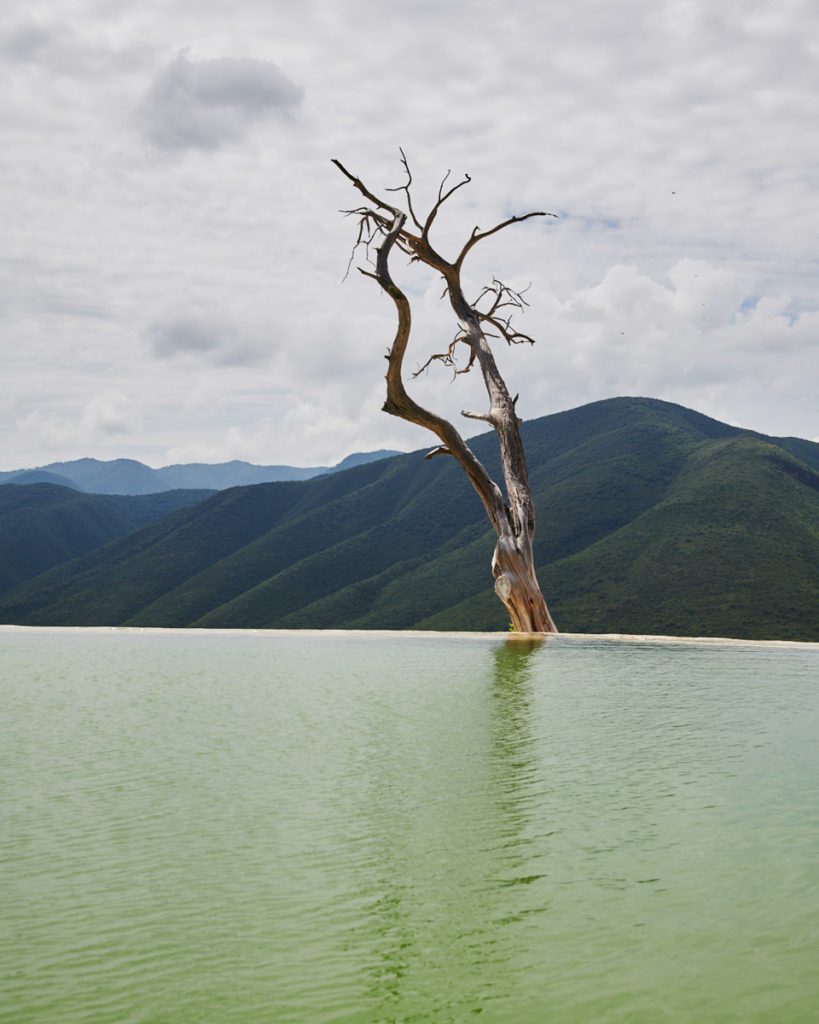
[[202, 828]]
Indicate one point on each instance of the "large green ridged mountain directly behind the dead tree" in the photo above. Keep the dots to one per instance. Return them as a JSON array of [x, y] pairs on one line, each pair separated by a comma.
[[653, 519]]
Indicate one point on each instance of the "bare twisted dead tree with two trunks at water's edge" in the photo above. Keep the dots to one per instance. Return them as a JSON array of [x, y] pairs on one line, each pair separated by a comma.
[[386, 227]]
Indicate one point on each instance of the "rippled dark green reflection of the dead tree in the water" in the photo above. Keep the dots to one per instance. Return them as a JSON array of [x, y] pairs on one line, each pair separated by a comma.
[[437, 925]]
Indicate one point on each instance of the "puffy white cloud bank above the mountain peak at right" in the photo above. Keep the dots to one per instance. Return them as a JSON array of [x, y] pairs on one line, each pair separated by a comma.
[[694, 339]]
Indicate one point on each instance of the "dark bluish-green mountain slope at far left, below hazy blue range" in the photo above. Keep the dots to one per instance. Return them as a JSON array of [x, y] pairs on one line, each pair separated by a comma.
[[42, 525]]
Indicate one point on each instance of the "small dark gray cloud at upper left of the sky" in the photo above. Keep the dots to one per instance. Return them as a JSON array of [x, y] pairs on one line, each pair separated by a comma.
[[202, 105]]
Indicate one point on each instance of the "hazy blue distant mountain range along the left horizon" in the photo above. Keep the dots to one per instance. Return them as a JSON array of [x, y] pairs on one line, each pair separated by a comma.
[[126, 477]]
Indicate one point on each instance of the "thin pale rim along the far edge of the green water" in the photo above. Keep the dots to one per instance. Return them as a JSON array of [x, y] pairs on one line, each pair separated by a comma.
[[413, 634]]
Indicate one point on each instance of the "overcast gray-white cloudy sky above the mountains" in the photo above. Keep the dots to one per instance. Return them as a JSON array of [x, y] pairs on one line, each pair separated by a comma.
[[173, 254]]
